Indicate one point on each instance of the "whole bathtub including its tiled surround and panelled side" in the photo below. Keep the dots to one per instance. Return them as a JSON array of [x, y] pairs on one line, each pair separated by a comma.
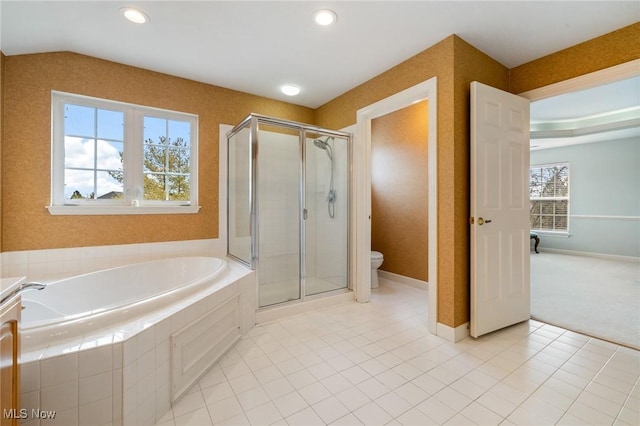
[[127, 342]]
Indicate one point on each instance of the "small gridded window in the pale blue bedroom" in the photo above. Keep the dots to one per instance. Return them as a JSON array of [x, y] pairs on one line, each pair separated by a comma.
[[549, 195]]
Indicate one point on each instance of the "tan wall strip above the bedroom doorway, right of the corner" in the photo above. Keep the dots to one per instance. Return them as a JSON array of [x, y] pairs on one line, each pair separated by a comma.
[[611, 49]]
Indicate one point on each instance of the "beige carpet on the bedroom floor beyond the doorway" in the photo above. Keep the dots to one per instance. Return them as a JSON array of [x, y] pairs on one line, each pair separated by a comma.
[[595, 296]]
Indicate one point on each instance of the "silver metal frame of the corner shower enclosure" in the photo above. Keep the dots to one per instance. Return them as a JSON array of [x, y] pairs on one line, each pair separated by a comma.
[[252, 121]]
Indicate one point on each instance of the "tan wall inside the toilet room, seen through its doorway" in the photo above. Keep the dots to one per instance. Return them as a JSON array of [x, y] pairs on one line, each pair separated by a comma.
[[399, 190]]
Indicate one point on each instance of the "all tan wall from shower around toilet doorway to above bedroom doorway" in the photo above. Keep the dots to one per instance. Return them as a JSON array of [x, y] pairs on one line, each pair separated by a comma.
[[456, 64]]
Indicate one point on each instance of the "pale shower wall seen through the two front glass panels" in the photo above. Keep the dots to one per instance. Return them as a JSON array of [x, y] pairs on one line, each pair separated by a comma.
[[279, 205]]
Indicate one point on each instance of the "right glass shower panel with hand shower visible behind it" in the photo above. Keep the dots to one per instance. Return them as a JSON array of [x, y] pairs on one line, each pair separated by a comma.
[[327, 217]]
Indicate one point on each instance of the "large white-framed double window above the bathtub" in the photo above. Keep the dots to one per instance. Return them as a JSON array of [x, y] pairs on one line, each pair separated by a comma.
[[117, 158]]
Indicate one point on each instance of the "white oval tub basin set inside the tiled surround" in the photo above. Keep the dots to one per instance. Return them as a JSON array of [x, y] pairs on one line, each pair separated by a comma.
[[73, 307]]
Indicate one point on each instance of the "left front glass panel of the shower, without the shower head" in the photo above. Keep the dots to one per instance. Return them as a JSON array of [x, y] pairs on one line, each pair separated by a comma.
[[279, 210]]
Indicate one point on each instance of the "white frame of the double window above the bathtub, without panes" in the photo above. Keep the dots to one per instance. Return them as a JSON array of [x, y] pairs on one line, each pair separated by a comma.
[[131, 203]]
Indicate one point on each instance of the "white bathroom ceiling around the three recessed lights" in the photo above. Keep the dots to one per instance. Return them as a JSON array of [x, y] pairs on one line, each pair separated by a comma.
[[256, 47]]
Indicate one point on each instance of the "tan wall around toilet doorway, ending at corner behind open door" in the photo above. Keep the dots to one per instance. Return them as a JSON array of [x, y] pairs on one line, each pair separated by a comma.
[[455, 63]]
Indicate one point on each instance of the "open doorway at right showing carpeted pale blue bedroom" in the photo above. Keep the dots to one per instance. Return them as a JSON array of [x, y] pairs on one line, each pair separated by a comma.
[[600, 151]]
